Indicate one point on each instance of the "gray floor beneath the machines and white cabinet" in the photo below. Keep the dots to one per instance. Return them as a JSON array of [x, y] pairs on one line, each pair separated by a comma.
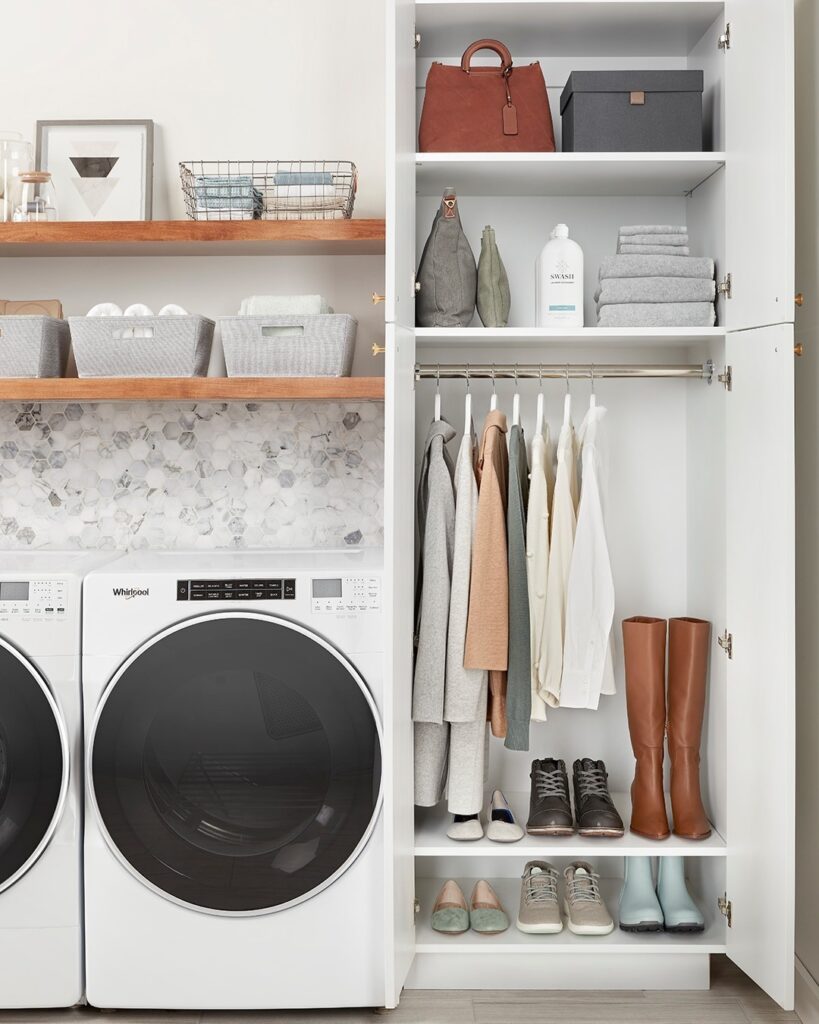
[[732, 1000]]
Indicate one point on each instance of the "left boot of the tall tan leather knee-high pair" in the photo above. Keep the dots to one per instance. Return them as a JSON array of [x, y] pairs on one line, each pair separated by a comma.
[[644, 649]]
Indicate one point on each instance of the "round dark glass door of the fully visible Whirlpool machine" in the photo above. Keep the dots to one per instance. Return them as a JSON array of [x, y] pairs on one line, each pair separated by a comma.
[[236, 763]]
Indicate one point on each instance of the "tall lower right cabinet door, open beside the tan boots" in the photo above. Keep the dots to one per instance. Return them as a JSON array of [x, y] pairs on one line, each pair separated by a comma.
[[760, 531]]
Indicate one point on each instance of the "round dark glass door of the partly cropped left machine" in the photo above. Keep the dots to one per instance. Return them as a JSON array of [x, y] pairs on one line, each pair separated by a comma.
[[34, 765]]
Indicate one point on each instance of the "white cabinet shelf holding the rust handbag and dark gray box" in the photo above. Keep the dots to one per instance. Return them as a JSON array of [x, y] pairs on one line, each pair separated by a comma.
[[565, 174]]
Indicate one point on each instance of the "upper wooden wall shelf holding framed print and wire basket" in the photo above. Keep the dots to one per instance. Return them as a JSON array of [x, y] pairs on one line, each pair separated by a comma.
[[195, 238]]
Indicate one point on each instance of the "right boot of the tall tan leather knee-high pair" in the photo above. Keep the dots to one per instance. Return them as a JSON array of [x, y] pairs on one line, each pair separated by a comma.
[[688, 665]]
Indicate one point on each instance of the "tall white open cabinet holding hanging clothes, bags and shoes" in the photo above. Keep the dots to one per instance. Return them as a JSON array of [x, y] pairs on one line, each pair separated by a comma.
[[701, 507]]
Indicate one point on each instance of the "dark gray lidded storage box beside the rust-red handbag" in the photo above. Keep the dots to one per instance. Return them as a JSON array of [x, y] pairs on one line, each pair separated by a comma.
[[633, 112]]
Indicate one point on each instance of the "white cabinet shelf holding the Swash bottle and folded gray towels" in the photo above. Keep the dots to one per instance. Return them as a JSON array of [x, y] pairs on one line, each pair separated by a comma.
[[428, 338]]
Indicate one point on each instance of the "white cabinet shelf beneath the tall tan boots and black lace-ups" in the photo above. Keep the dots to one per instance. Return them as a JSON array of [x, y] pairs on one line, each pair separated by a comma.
[[433, 841]]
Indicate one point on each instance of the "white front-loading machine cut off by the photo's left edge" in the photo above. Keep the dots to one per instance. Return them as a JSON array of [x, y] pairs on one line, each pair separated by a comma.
[[41, 948]]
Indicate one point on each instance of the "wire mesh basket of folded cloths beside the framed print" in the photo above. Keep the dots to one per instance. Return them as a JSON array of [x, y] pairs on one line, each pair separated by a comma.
[[269, 190]]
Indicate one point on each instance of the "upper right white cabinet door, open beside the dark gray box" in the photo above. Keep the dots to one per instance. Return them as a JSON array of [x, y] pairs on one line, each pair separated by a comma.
[[760, 176]]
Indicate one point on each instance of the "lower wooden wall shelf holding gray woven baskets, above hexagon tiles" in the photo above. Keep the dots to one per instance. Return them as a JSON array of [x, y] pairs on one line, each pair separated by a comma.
[[194, 390]]
